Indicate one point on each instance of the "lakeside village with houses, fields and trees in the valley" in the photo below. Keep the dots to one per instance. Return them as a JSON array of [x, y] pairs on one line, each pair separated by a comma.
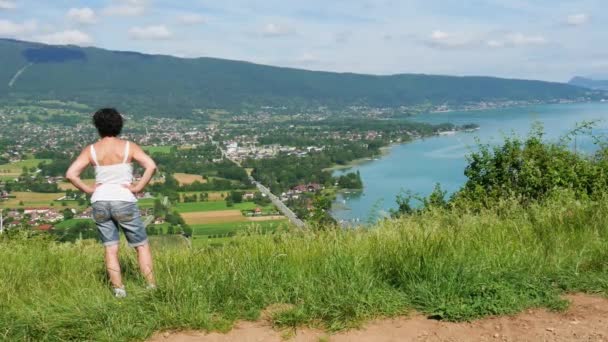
[[34, 193]]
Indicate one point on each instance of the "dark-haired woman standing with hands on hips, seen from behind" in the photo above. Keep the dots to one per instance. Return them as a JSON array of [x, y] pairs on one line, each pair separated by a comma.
[[113, 200]]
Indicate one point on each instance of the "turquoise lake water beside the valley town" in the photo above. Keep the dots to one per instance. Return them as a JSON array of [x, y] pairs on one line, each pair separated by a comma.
[[419, 165]]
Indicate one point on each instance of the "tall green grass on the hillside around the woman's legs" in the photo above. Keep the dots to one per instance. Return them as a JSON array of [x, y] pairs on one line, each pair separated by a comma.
[[448, 265]]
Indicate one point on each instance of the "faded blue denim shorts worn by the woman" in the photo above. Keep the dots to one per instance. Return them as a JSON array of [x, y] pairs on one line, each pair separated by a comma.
[[109, 215]]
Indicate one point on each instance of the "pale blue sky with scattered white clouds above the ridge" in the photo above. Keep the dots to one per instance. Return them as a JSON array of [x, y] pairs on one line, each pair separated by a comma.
[[550, 40]]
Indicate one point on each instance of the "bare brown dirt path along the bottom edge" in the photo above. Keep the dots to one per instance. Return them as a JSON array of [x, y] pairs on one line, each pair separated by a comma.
[[586, 320]]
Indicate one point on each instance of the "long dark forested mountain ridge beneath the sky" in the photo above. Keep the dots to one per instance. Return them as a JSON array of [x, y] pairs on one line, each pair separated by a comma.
[[153, 84]]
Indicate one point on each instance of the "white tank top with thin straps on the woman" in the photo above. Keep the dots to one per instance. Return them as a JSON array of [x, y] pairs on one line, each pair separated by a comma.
[[111, 180]]
